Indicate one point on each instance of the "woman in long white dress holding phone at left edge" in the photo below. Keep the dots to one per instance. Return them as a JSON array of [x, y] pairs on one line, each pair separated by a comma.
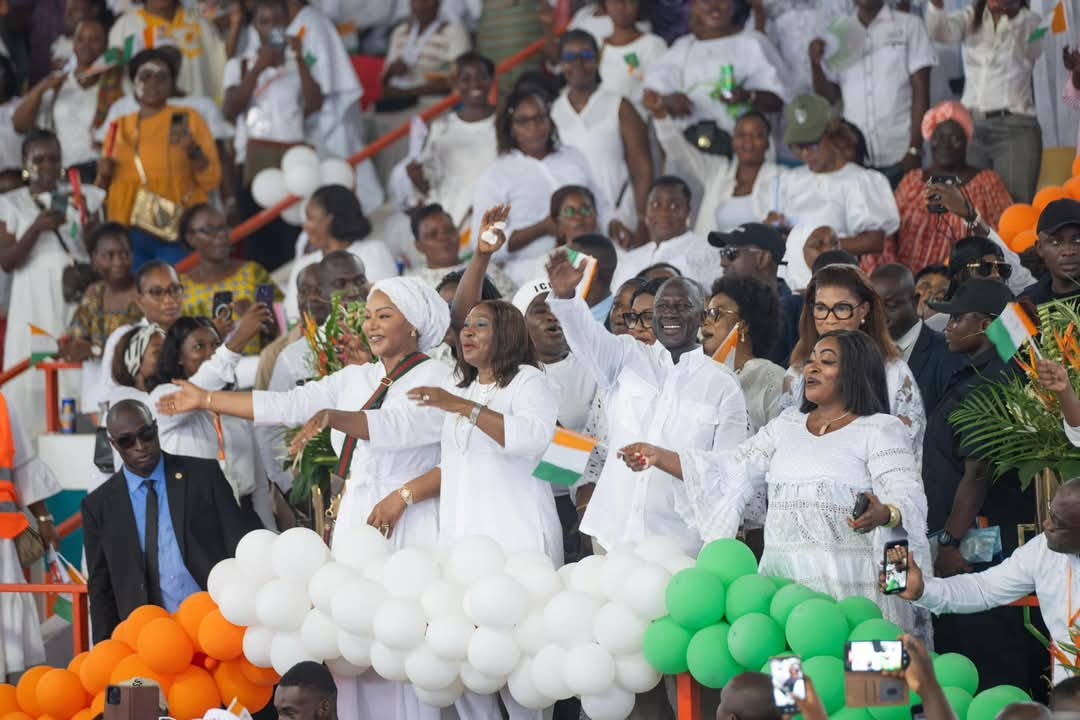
[[37, 243]]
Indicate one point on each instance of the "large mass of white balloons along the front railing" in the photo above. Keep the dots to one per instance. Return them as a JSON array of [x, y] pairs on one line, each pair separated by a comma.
[[449, 620]]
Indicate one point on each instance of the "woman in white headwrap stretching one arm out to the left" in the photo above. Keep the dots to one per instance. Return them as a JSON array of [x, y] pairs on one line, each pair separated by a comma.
[[404, 318]]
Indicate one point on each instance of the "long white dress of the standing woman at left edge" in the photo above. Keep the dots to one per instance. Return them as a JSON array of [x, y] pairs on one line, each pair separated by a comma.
[[37, 297]]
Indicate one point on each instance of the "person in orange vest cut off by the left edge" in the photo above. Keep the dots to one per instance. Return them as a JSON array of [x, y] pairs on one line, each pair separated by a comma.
[[25, 484]]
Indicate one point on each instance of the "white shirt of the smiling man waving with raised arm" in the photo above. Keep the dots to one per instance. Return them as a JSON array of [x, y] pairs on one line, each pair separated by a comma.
[[696, 404]]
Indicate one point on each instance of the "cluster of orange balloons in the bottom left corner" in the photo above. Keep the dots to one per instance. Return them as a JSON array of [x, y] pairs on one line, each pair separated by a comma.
[[195, 656]]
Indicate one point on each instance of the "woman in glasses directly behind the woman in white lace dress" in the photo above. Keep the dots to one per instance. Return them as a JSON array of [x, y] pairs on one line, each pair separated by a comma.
[[841, 298]]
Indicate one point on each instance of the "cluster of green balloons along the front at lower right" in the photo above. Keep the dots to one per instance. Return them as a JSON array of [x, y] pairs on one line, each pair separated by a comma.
[[724, 619]]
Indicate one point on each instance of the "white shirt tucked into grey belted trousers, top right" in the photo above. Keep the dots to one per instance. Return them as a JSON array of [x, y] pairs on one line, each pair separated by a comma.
[[997, 61]]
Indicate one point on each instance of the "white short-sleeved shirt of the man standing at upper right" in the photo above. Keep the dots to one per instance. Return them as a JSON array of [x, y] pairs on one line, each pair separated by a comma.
[[877, 86]]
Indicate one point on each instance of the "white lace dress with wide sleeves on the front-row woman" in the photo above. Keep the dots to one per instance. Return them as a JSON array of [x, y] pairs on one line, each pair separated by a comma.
[[813, 484]]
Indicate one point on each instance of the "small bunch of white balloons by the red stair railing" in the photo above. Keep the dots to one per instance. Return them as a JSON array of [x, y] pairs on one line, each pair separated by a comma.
[[301, 174]]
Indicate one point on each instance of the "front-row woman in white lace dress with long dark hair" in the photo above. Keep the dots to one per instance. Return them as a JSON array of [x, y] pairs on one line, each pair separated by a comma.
[[815, 461]]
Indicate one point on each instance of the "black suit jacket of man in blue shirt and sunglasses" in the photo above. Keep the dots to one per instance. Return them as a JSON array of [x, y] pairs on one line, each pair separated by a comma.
[[206, 518]]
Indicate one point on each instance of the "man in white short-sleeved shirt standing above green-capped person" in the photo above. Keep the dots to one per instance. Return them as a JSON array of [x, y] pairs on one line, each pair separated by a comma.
[[886, 90]]
